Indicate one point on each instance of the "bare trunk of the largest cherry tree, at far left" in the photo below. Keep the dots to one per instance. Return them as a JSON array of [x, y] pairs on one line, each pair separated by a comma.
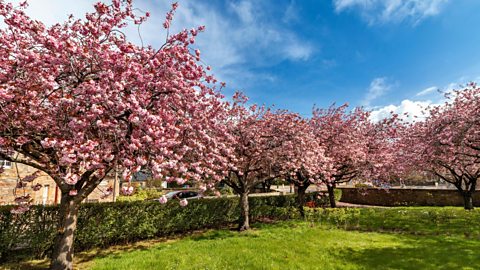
[[62, 256]]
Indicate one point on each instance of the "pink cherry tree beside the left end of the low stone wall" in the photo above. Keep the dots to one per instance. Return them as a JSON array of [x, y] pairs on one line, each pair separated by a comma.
[[356, 147]]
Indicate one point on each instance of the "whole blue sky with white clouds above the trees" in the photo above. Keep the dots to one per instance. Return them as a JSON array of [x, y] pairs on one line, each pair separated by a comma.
[[382, 54]]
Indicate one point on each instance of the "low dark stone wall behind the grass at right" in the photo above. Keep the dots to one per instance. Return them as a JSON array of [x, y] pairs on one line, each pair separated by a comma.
[[405, 197]]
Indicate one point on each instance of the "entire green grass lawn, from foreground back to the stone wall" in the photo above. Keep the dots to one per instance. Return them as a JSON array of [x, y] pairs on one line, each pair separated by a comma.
[[380, 238]]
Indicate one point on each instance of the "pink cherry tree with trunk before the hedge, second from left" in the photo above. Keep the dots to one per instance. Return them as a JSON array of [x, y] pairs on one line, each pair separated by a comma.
[[255, 133]]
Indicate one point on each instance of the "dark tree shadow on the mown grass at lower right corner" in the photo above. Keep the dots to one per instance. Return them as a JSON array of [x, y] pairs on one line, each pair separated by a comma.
[[418, 252]]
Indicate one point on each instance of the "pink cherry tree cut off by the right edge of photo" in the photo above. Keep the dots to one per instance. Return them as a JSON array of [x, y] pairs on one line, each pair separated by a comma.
[[447, 143]]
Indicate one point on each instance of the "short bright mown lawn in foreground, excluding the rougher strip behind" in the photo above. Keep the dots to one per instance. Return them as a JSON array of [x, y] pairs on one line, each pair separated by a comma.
[[300, 245]]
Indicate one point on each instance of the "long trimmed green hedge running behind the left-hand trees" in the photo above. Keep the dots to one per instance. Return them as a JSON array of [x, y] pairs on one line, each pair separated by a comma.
[[104, 224]]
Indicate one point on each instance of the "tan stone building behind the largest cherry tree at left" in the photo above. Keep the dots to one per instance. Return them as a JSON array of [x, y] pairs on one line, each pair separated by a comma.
[[49, 193]]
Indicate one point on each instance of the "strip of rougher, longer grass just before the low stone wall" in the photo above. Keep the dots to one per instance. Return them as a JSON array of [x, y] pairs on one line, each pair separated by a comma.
[[411, 220]]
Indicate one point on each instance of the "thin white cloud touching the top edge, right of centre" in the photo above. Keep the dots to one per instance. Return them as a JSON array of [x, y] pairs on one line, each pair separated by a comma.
[[375, 11]]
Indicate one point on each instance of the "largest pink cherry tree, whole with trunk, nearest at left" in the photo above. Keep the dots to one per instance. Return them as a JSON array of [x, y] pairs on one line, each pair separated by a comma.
[[78, 99]]
